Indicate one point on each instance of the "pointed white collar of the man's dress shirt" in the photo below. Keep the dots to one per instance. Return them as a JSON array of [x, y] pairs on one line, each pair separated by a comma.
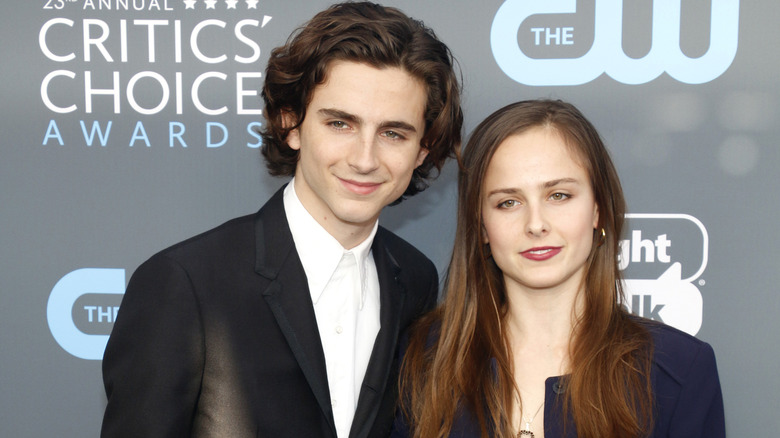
[[320, 252]]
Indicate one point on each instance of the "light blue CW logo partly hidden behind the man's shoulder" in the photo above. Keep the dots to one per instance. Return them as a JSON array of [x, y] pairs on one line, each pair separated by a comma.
[[91, 283]]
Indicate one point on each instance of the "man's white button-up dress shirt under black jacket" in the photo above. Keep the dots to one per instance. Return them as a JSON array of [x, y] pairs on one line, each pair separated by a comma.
[[344, 289]]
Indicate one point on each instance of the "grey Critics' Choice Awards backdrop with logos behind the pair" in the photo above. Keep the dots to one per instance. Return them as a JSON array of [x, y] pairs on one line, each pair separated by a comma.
[[129, 125]]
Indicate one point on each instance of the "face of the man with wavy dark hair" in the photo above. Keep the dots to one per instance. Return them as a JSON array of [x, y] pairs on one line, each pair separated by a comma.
[[358, 145]]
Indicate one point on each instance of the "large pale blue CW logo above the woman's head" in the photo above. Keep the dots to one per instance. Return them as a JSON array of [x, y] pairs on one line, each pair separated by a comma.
[[606, 54]]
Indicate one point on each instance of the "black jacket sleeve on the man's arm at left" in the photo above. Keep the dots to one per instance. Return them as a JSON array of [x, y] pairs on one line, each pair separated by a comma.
[[153, 363]]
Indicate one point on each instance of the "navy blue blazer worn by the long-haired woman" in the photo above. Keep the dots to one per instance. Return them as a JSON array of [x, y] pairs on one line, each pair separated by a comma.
[[686, 388]]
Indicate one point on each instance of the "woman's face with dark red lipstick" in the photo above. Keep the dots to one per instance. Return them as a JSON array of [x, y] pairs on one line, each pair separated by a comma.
[[538, 212]]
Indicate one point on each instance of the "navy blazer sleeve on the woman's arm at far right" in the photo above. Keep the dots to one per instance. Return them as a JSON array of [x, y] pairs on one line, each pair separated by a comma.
[[699, 411]]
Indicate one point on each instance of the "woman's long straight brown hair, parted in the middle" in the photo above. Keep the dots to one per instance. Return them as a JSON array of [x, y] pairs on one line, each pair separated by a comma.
[[458, 359]]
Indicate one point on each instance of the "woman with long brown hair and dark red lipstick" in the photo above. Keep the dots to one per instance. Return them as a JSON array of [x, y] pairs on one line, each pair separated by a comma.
[[531, 339]]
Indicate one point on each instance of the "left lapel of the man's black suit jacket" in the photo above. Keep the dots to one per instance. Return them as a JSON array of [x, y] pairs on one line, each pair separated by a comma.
[[288, 296]]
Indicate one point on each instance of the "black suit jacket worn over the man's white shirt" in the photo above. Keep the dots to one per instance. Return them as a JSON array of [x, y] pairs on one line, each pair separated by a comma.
[[216, 337]]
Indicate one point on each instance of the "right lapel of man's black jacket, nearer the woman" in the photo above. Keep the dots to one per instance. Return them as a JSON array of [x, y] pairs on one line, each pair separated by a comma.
[[391, 298]]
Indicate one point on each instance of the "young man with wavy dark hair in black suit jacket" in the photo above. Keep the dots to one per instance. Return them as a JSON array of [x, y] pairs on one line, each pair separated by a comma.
[[285, 322]]
